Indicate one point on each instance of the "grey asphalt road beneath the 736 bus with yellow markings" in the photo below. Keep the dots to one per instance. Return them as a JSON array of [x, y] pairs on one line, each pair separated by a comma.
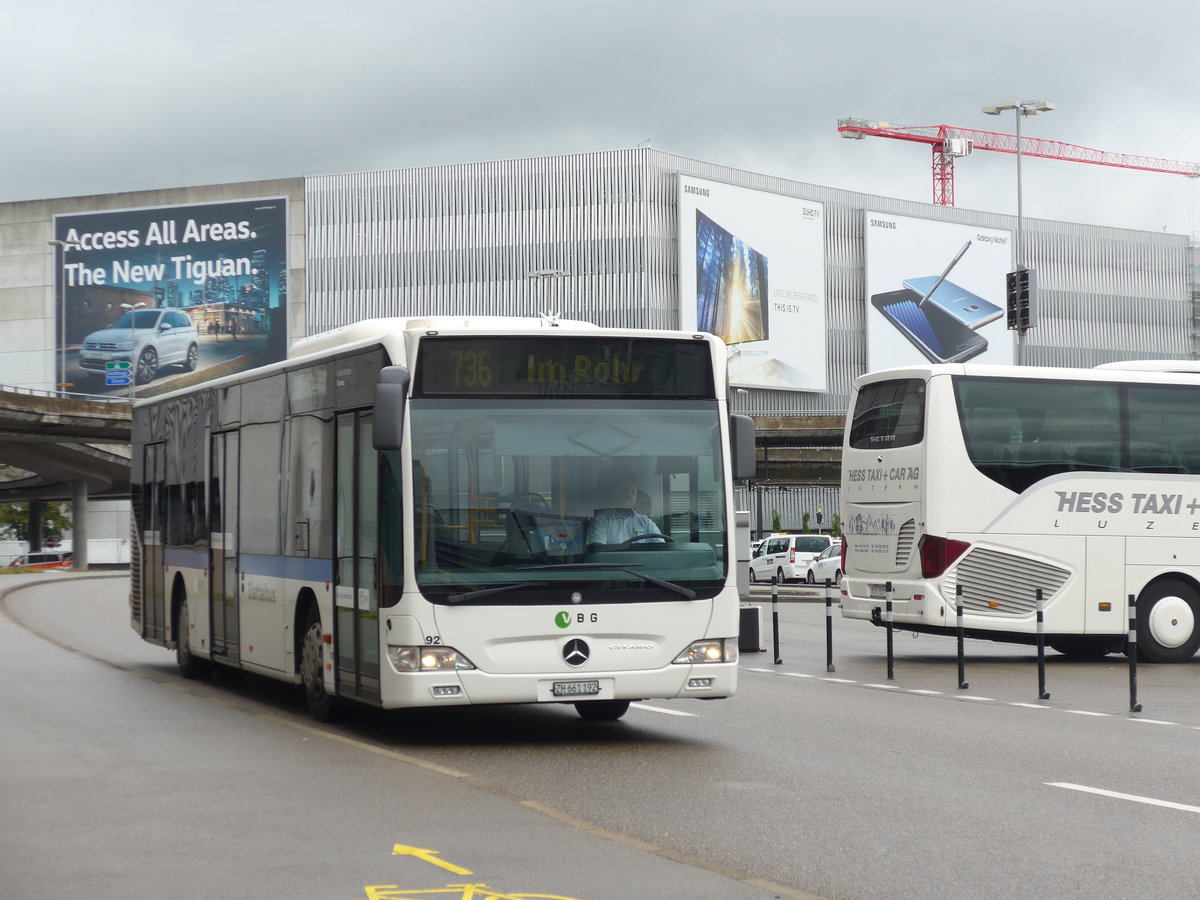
[[123, 781]]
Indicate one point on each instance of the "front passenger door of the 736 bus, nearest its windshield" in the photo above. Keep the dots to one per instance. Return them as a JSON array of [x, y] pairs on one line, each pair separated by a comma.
[[357, 633]]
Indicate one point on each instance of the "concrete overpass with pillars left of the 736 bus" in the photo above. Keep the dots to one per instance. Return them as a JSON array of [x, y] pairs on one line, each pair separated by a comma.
[[77, 449]]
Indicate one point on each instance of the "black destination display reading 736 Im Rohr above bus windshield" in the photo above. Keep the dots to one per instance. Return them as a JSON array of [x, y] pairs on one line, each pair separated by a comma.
[[565, 367]]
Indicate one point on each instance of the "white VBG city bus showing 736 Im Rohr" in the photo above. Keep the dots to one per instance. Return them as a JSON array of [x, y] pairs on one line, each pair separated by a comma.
[[399, 515]]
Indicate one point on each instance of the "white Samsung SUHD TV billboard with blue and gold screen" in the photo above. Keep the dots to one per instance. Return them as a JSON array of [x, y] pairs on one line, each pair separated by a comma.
[[752, 272]]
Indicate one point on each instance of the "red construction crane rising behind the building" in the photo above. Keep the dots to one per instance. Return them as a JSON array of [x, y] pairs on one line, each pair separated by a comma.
[[949, 142]]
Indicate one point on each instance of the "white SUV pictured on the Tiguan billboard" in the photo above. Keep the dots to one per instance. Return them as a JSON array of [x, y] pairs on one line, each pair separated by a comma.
[[147, 339]]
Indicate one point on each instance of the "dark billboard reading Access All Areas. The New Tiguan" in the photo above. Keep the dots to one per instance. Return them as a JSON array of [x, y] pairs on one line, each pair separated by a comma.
[[151, 296]]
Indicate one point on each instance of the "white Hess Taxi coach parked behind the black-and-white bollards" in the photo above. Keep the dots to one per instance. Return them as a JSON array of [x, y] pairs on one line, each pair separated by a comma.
[[1084, 484]]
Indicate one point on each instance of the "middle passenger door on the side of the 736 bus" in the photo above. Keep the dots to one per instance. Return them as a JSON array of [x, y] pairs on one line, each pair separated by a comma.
[[224, 545]]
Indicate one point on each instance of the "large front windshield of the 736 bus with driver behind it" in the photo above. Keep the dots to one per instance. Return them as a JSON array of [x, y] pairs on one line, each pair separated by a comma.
[[533, 501]]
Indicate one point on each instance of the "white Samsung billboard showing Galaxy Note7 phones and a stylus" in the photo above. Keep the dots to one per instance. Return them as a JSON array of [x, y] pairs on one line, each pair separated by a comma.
[[935, 292]]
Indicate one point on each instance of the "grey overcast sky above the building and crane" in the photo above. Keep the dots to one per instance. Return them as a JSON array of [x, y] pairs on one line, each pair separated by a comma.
[[124, 95]]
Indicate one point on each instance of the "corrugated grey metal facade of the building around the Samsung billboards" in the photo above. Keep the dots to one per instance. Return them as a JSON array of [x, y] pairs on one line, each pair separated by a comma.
[[455, 239]]
